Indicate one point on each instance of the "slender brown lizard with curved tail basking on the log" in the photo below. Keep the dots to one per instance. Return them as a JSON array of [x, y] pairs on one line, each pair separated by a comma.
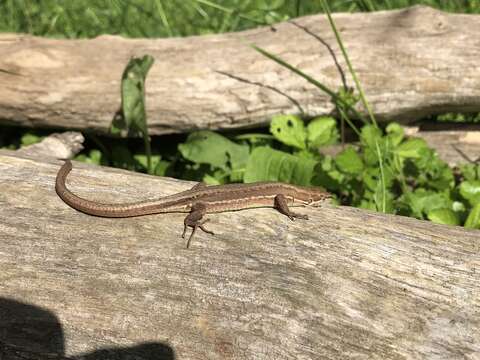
[[200, 200]]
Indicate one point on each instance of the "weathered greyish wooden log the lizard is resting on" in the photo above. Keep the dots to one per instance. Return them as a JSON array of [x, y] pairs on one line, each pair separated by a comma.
[[347, 283]]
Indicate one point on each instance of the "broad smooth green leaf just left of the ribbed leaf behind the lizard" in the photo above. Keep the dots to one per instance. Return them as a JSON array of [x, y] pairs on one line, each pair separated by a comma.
[[207, 147]]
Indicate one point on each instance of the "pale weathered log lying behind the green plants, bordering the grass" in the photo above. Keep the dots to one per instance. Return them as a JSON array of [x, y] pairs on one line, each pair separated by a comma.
[[411, 62]]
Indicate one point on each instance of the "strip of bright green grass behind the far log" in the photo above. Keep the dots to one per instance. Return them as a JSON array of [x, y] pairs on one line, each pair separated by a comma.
[[164, 18]]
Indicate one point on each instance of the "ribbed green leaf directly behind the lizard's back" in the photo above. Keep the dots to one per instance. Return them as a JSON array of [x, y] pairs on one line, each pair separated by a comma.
[[266, 164]]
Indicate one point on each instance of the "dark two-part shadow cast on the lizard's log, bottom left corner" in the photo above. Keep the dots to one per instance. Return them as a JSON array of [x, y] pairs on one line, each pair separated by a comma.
[[31, 332]]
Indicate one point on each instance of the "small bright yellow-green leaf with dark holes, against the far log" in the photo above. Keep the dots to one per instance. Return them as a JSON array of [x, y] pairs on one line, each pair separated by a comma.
[[290, 130]]
